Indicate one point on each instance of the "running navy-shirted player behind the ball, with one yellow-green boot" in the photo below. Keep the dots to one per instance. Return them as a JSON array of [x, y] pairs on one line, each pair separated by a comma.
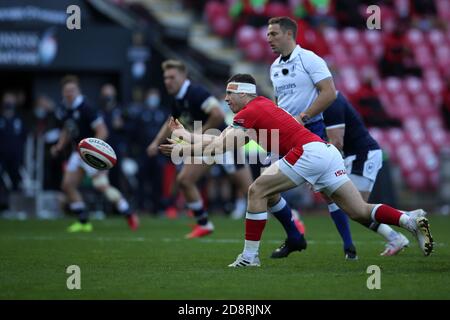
[[80, 120]]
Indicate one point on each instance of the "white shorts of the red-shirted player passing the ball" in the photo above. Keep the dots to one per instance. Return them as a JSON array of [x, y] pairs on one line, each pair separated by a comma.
[[318, 163]]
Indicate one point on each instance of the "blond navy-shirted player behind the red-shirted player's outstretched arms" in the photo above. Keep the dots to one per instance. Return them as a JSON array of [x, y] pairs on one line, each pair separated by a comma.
[[192, 102]]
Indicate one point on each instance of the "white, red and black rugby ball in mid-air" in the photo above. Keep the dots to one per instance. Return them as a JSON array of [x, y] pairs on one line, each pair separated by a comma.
[[97, 153]]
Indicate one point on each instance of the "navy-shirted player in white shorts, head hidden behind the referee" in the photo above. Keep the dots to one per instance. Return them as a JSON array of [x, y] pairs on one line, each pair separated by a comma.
[[363, 160]]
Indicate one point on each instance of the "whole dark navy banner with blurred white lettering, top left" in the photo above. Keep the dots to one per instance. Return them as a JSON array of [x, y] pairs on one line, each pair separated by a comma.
[[34, 34]]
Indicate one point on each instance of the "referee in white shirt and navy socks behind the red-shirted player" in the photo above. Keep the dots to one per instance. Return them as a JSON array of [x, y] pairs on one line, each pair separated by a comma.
[[304, 87]]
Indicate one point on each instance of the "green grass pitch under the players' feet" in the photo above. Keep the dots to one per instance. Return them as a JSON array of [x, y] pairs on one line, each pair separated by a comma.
[[156, 262]]
